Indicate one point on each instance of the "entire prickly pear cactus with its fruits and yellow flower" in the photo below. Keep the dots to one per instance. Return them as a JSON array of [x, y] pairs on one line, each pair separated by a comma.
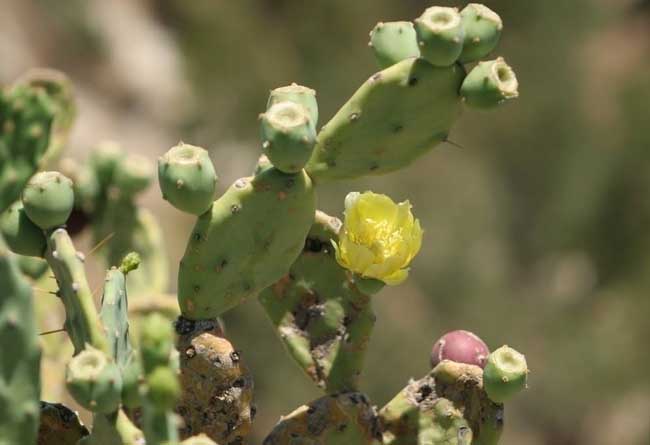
[[264, 238]]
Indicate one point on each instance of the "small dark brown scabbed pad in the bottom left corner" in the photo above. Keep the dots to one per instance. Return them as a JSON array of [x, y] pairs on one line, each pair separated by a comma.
[[59, 425]]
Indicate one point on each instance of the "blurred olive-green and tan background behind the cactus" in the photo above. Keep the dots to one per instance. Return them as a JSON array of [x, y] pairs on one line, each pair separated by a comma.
[[536, 230]]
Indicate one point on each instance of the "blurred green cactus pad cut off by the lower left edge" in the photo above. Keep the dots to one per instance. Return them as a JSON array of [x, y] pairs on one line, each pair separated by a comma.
[[20, 381]]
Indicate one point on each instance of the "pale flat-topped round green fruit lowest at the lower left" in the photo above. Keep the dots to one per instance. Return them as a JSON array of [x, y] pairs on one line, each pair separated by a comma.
[[94, 380]]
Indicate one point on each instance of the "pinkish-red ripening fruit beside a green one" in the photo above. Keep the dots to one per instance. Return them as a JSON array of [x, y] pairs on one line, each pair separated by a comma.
[[461, 347]]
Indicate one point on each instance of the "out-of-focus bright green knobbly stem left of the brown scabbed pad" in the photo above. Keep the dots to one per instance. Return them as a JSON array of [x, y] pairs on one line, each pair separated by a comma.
[[161, 387]]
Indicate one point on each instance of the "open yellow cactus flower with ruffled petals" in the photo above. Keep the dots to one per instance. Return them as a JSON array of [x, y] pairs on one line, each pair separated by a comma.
[[379, 238]]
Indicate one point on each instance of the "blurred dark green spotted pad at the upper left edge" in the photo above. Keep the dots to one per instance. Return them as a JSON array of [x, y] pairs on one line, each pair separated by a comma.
[[26, 117]]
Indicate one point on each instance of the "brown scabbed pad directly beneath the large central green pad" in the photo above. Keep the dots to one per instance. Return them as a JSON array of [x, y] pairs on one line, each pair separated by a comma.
[[217, 389]]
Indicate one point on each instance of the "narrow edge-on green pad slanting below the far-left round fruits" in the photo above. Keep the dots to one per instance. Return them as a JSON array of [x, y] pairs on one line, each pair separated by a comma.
[[82, 321]]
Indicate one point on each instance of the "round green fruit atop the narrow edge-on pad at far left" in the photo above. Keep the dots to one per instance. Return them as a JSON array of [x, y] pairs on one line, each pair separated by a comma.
[[48, 199]]
